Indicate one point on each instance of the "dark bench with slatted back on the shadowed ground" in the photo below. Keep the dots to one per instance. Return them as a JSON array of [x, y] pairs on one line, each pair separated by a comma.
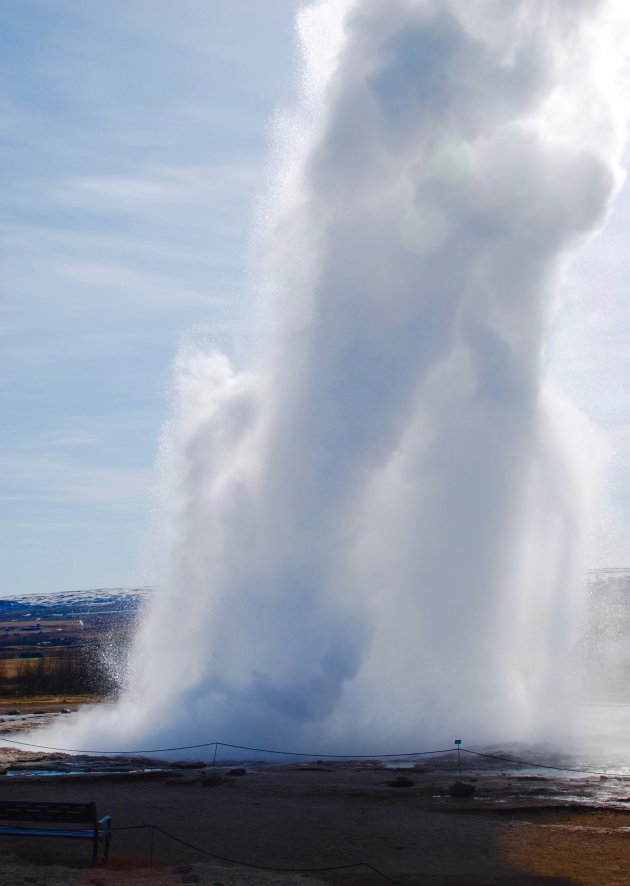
[[41, 815]]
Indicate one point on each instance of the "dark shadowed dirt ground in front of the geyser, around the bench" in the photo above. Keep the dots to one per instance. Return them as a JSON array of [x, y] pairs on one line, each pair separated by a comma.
[[517, 829]]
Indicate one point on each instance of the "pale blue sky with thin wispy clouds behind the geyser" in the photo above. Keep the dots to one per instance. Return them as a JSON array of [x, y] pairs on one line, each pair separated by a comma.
[[135, 142]]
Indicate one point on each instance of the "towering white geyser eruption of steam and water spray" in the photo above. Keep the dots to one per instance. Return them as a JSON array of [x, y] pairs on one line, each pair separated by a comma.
[[373, 531]]
